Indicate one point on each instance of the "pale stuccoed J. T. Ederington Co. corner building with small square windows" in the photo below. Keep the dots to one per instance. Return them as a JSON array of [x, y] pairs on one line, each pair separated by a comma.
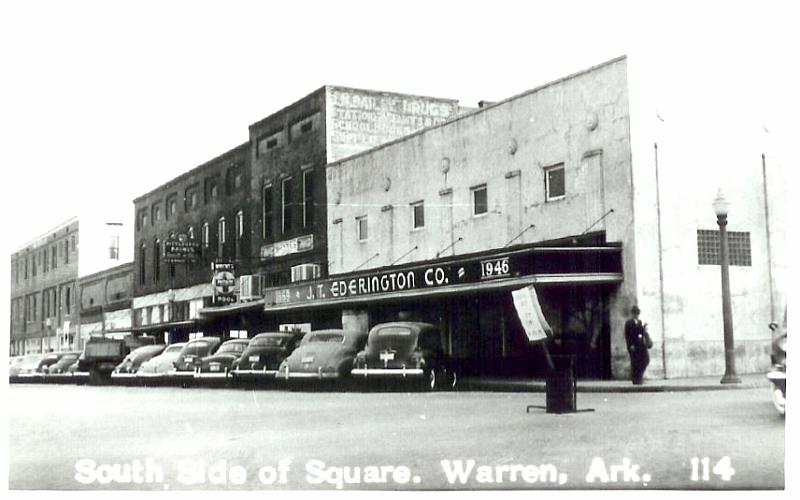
[[589, 199]]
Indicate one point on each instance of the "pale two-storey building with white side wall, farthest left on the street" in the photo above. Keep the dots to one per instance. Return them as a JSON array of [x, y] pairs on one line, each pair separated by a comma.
[[46, 281]]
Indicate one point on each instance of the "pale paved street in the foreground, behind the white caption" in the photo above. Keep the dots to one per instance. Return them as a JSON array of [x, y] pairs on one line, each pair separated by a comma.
[[332, 439]]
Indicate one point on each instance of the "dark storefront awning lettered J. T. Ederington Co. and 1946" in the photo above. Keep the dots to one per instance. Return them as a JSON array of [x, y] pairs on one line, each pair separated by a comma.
[[487, 271]]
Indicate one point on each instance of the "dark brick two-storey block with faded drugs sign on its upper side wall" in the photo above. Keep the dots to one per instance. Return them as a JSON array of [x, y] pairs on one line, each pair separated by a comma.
[[260, 207]]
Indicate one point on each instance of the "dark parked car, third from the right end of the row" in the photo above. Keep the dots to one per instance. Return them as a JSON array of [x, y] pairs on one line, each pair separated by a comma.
[[264, 355]]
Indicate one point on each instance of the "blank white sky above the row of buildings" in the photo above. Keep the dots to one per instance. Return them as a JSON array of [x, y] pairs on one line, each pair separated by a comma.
[[103, 101]]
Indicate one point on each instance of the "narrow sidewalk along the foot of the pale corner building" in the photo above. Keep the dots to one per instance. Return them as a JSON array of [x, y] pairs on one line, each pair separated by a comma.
[[749, 381]]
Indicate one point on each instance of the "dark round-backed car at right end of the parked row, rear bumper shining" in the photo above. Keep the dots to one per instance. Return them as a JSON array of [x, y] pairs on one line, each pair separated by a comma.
[[405, 350]]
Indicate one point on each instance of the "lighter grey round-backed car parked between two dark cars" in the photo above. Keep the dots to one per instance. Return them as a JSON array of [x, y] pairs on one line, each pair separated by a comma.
[[323, 354]]
